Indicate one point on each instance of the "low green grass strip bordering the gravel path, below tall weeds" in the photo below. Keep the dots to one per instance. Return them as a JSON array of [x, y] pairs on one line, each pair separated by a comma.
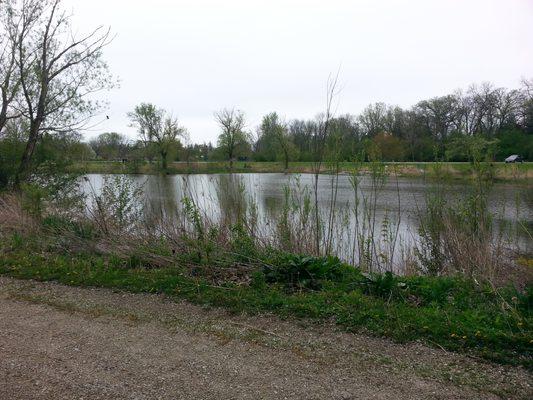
[[453, 313]]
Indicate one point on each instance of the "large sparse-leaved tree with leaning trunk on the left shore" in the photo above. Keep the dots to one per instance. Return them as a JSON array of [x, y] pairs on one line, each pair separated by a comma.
[[58, 72]]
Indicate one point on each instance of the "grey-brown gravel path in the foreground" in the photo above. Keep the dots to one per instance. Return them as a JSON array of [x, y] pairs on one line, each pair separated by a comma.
[[58, 342]]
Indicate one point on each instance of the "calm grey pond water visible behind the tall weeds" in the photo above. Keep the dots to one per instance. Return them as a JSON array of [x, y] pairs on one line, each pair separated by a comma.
[[389, 209]]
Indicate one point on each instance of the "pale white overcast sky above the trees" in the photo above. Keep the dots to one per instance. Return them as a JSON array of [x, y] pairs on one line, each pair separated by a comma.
[[197, 56]]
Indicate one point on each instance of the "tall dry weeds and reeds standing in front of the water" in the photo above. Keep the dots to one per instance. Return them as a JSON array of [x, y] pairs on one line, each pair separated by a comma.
[[454, 235]]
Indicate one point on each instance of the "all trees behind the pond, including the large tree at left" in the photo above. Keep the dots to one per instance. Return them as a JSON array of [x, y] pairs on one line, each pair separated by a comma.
[[49, 74]]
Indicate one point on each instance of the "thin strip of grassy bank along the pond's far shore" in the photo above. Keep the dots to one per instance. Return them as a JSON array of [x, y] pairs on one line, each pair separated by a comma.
[[456, 170]]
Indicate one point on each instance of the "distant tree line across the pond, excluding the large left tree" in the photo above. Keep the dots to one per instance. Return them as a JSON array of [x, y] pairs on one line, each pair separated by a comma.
[[495, 121]]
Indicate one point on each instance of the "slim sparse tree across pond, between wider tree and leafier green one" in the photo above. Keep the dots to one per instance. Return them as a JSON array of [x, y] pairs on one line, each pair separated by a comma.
[[232, 136]]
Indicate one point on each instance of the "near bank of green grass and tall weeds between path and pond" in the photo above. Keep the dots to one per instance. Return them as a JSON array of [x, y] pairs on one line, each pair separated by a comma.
[[453, 297]]
